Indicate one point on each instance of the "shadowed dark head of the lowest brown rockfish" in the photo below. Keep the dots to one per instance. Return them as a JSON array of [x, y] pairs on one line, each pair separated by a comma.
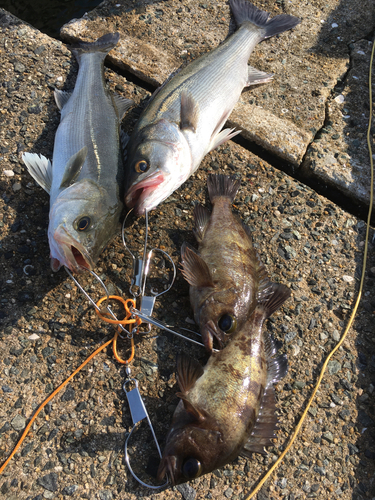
[[190, 452]]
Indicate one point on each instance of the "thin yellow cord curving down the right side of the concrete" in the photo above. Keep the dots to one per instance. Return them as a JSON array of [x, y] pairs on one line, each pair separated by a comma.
[[299, 425]]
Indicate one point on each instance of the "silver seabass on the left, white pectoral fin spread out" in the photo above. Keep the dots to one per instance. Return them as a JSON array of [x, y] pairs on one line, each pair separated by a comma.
[[85, 178]]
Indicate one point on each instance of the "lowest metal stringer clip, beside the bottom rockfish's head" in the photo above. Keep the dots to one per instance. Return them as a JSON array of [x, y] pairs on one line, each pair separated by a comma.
[[138, 412]]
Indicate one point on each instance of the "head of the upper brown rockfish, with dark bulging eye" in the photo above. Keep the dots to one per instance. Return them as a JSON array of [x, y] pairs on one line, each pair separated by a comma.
[[220, 313]]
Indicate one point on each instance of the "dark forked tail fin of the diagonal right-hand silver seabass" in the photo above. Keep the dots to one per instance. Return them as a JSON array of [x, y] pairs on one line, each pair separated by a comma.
[[244, 11]]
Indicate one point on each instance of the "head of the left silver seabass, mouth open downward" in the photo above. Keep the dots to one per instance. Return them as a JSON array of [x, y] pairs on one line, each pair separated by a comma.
[[82, 221]]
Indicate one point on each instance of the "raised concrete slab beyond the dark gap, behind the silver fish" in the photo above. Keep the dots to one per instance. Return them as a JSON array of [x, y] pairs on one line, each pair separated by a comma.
[[285, 116]]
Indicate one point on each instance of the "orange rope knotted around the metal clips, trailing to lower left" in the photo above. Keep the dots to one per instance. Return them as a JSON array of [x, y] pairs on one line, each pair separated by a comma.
[[128, 320]]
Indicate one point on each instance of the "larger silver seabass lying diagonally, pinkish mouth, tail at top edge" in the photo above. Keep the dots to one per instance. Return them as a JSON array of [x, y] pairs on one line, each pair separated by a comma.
[[184, 118]]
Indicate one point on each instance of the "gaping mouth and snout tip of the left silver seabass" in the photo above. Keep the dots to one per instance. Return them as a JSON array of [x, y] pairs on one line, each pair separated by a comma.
[[65, 251]]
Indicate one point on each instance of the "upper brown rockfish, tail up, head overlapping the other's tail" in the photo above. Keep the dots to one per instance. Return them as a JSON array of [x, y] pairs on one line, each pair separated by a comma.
[[226, 276]]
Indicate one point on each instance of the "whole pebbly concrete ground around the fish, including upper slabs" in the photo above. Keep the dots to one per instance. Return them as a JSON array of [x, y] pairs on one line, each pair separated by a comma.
[[304, 167]]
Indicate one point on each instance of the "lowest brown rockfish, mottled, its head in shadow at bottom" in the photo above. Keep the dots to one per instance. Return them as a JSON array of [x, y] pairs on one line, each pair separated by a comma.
[[227, 408]]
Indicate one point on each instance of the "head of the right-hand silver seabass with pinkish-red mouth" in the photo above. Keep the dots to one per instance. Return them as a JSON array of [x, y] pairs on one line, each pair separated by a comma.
[[158, 165]]
